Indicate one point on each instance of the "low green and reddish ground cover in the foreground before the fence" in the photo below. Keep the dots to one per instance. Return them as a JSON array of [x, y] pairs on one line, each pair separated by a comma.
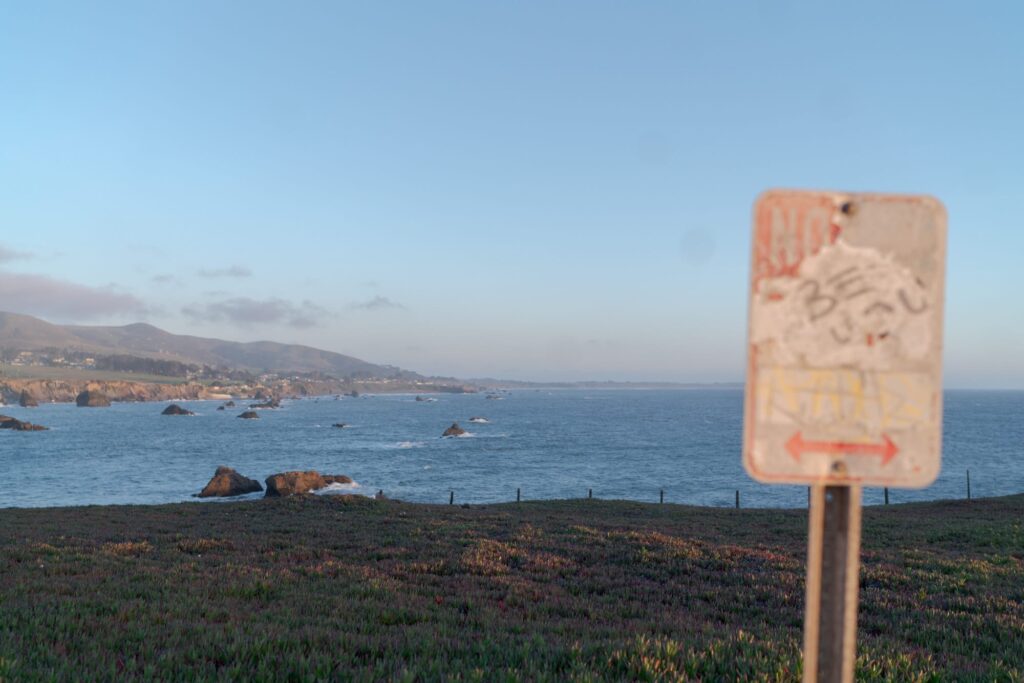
[[339, 588]]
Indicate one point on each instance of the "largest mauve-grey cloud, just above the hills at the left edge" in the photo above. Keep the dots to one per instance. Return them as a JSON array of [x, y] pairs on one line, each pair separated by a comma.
[[49, 297]]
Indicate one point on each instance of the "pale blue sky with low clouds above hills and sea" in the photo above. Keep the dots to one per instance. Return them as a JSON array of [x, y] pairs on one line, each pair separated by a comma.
[[536, 191]]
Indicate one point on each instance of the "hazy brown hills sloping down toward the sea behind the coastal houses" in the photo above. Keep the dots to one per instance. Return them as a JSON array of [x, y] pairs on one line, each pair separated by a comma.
[[25, 333]]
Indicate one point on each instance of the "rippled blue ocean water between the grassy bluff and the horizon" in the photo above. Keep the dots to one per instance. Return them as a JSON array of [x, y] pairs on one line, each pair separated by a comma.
[[547, 444]]
